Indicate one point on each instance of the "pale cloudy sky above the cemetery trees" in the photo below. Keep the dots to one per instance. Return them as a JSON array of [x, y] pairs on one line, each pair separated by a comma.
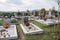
[[23, 5]]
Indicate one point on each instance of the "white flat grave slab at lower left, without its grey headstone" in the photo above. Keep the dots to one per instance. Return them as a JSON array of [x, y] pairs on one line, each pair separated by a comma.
[[9, 33]]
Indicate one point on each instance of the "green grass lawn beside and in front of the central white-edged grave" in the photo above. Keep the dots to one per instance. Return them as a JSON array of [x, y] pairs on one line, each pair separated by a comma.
[[48, 33]]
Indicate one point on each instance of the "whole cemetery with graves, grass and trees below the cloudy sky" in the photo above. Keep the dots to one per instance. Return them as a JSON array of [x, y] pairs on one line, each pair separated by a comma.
[[30, 25]]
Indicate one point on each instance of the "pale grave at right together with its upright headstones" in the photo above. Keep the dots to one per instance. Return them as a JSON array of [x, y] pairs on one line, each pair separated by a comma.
[[48, 19]]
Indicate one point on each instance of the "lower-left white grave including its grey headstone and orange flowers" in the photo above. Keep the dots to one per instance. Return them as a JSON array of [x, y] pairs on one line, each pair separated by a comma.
[[7, 31]]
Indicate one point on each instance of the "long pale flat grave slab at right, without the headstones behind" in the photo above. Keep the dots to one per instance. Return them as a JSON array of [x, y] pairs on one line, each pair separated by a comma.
[[48, 21]]
